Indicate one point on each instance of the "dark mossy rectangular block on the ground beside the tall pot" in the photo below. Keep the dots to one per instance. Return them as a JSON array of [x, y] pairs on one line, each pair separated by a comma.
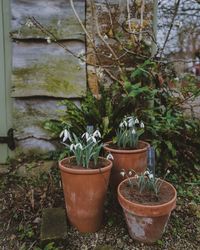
[[54, 225]]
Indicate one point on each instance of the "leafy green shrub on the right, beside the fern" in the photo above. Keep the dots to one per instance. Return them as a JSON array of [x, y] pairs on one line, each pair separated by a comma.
[[174, 135]]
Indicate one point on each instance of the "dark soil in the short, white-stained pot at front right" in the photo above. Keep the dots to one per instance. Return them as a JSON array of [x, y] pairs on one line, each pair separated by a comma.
[[147, 197]]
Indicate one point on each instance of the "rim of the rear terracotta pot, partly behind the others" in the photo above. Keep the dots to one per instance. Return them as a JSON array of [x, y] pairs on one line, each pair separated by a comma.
[[127, 151]]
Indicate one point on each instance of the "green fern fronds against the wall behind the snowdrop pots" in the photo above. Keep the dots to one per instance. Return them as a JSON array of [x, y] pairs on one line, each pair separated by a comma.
[[103, 113]]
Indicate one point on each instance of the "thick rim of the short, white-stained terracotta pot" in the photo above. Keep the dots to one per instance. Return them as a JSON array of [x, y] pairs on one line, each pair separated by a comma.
[[147, 210]]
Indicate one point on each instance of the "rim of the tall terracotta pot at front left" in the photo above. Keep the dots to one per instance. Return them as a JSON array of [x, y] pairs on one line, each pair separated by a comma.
[[84, 171]]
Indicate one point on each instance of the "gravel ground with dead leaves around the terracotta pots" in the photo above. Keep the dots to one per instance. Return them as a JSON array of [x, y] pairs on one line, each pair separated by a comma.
[[22, 200]]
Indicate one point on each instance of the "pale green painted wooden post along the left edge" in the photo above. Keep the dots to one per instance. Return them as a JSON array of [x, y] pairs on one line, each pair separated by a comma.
[[3, 89]]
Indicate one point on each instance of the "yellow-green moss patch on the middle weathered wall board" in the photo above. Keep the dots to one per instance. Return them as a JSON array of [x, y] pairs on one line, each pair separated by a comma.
[[56, 77]]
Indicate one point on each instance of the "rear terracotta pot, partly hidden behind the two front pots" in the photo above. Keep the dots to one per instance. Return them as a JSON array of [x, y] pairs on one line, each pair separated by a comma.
[[135, 159]]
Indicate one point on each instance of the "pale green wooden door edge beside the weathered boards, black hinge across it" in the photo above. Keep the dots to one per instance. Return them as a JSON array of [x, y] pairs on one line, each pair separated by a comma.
[[5, 72]]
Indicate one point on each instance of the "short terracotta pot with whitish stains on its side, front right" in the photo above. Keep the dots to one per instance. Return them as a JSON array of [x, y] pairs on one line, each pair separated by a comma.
[[146, 223]]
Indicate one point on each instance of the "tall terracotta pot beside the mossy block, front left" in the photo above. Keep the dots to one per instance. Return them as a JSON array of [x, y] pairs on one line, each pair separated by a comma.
[[84, 192]]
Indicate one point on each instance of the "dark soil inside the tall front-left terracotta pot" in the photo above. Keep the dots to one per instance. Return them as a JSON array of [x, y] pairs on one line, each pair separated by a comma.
[[73, 164]]
